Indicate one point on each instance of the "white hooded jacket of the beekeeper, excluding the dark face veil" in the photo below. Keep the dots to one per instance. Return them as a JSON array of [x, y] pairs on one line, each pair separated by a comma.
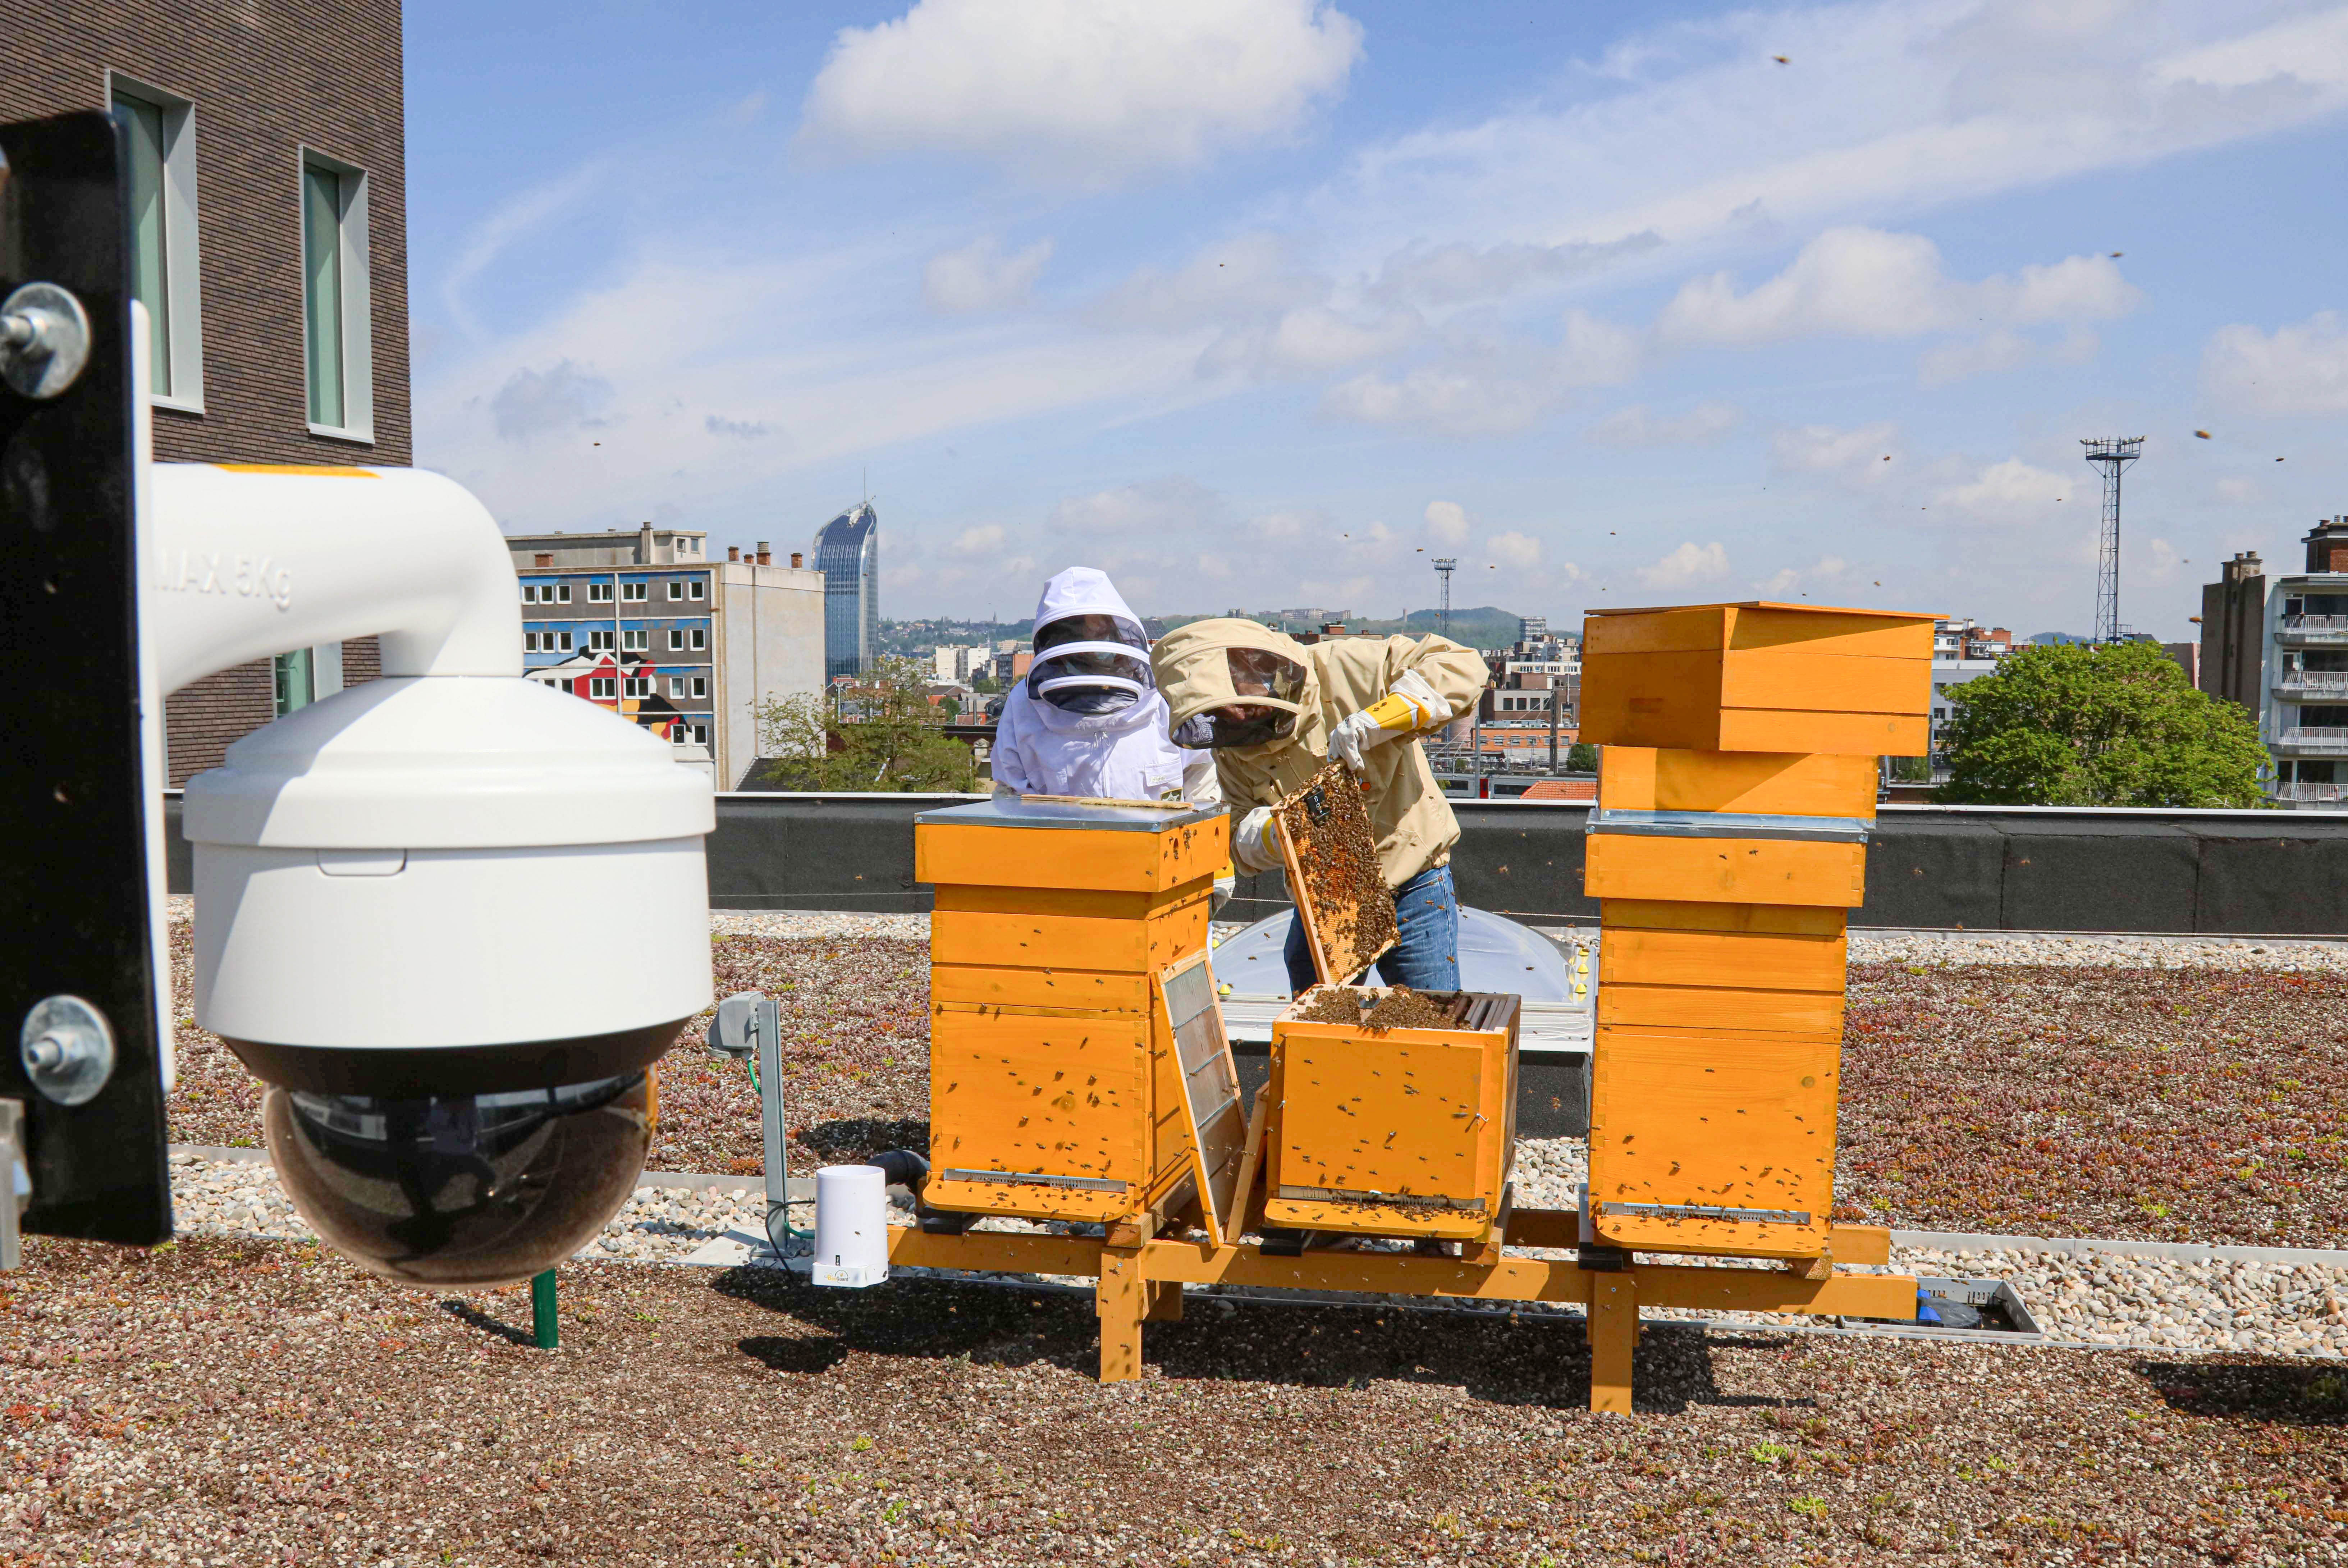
[[1044, 750]]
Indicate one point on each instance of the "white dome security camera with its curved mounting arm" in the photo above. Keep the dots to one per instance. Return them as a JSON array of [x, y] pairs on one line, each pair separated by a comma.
[[450, 917]]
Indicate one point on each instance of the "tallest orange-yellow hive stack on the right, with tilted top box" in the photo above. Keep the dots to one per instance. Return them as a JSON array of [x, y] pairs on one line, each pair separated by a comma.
[[1736, 790]]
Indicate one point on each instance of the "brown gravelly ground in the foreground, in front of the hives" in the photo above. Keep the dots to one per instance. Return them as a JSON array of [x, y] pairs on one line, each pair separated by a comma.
[[231, 1403]]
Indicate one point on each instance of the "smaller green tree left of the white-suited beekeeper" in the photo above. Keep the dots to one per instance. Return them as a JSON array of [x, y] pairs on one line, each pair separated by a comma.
[[877, 736]]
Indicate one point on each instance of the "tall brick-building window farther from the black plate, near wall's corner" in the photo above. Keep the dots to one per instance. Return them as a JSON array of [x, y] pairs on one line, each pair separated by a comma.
[[337, 304]]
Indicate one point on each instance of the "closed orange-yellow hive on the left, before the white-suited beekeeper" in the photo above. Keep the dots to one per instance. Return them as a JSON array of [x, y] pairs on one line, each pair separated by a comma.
[[1055, 1086]]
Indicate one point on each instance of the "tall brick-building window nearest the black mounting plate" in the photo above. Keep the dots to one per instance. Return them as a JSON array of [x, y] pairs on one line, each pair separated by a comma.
[[158, 135]]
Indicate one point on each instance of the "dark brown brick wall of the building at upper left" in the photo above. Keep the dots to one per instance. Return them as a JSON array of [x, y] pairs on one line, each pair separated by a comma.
[[264, 81]]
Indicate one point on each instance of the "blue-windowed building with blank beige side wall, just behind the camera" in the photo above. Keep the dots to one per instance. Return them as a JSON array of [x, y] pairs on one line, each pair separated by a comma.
[[684, 647]]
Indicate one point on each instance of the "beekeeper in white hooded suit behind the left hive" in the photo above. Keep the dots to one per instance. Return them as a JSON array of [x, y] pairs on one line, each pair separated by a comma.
[[1088, 717]]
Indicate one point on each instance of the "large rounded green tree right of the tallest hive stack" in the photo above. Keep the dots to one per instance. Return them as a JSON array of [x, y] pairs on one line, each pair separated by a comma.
[[2098, 726]]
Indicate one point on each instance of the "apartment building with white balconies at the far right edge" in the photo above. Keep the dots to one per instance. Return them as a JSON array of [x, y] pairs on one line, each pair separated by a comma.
[[2281, 649]]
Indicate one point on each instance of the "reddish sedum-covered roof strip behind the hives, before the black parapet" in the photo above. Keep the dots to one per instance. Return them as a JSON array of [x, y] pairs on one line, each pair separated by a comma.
[[2051, 1100]]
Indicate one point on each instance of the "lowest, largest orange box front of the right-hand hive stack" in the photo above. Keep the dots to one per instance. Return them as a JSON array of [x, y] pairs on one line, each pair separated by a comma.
[[1703, 1123]]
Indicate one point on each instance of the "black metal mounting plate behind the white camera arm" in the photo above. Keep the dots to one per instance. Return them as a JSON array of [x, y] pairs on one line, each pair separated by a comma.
[[74, 776]]
